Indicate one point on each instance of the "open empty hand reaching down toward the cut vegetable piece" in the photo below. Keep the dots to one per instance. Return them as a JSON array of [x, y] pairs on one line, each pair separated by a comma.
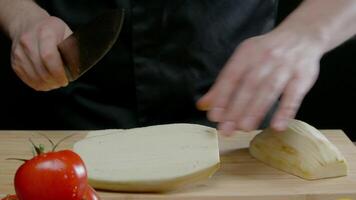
[[261, 70]]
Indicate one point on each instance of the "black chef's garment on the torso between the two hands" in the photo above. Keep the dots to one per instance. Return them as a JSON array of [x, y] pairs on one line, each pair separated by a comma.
[[168, 55]]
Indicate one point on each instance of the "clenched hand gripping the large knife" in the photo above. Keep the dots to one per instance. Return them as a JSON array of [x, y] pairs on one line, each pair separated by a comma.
[[35, 57]]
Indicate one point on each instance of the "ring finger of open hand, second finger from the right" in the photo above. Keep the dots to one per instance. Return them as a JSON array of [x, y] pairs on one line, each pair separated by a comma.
[[267, 93]]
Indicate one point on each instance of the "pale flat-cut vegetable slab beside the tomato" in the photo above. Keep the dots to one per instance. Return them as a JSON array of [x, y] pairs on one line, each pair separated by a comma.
[[150, 159]]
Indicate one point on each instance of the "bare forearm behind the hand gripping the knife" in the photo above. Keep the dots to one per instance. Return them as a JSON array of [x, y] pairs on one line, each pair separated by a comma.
[[16, 15]]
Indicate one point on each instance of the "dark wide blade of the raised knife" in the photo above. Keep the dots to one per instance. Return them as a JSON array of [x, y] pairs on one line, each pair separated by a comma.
[[90, 43]]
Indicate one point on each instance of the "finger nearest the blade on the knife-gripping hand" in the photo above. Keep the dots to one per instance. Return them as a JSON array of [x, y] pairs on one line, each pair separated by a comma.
[[51, 58]]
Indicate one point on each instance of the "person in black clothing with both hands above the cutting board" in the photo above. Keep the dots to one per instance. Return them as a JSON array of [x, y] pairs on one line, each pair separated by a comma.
[[175, 59]]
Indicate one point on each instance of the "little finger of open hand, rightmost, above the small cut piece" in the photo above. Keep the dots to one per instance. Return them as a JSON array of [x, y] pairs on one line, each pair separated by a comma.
[[295, 91]]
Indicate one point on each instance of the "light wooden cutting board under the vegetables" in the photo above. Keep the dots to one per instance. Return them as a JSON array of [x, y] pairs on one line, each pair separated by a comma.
[[240, 176]]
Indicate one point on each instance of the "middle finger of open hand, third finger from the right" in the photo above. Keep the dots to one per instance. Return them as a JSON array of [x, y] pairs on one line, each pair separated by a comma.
[[243, 96]]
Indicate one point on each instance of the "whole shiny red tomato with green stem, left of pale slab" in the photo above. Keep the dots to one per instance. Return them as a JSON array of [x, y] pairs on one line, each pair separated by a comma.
[[52, 176]]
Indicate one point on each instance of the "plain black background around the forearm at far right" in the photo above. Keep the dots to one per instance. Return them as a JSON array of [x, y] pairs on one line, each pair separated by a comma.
[[331, 103]]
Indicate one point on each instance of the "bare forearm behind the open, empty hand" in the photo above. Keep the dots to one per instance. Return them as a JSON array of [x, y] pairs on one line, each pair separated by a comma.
[[326, 22]]
